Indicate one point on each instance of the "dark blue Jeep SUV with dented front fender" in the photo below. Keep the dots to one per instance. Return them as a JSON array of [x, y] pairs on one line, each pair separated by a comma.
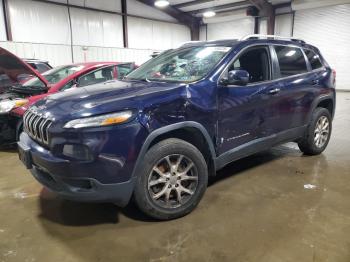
[[158, 134]]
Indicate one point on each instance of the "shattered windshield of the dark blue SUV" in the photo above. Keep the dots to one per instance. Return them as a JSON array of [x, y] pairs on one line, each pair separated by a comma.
[[181, 65]]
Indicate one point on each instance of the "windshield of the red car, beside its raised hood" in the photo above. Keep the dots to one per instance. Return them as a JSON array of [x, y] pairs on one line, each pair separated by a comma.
[[53, 76]]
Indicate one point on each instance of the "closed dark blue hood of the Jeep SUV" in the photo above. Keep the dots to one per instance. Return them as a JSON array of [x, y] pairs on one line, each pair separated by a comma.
[[108, 97]]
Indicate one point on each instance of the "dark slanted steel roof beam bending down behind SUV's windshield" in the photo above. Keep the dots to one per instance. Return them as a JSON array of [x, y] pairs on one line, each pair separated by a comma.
[[192, 22]]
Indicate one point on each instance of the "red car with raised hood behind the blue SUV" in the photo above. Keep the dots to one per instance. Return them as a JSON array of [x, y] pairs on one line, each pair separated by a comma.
[[16, 96]]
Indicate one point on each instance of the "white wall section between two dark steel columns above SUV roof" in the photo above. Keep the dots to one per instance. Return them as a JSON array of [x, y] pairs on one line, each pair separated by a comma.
[[231, 30]]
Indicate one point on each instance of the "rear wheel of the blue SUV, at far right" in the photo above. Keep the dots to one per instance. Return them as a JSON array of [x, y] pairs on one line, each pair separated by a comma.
[[318, 133]]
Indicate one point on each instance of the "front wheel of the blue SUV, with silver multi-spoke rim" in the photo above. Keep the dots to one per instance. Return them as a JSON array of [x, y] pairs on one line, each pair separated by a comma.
[[172, 181]]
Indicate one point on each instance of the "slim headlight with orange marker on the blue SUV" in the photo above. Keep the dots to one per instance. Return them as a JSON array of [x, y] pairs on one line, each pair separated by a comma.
[[96, 121]]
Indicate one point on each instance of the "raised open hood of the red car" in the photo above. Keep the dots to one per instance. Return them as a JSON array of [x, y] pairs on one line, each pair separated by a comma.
[[14, 70]]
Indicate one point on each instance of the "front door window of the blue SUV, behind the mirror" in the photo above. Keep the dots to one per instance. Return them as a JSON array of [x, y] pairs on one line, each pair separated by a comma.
[[256, 62]]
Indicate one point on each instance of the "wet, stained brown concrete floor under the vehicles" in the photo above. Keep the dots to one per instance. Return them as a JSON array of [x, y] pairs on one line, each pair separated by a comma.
[[258, 209]]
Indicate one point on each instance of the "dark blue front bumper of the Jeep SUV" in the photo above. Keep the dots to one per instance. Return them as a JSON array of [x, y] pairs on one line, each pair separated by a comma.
[[108, 178]]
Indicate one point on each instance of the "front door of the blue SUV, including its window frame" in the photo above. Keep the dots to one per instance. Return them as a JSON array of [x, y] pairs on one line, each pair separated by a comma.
[[244, 110]]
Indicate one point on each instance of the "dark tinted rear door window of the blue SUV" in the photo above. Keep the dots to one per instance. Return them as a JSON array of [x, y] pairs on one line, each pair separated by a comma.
[[291, 60]]
